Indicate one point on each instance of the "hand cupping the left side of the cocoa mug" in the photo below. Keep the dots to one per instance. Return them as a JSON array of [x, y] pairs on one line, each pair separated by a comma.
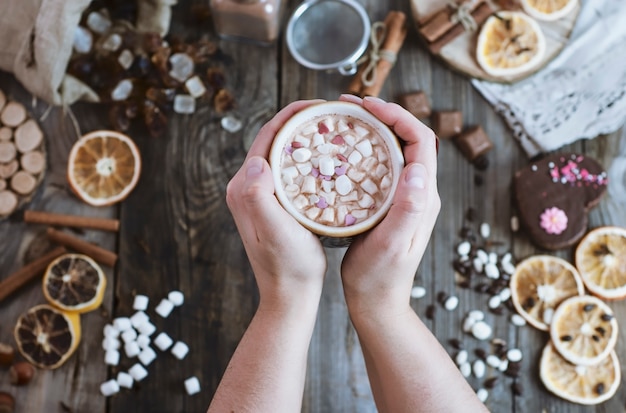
[[288, 260]]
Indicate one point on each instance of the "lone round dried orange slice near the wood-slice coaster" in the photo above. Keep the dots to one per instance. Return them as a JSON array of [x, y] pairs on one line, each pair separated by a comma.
[[103, 167]]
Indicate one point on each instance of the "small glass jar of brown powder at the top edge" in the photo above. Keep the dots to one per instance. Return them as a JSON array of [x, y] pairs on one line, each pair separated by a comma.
[[253, 20]]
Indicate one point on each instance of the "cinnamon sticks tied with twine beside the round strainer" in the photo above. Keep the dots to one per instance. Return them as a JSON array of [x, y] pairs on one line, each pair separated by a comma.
[[396, 33]]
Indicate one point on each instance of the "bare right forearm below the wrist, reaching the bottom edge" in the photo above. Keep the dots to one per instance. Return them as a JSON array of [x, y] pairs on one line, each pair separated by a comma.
[[409, 370]]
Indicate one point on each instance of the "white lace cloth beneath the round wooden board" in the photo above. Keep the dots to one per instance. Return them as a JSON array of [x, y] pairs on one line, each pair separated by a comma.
[[580, 94]]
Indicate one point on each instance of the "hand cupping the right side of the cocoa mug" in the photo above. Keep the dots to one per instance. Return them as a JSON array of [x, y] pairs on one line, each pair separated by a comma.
[[379, 267]]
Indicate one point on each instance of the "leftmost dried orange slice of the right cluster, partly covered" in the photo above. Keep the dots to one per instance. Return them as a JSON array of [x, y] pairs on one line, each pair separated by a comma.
[[539, 284]]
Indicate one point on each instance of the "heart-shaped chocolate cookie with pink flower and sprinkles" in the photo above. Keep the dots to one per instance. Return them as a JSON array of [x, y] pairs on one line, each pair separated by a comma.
[[554, 195]]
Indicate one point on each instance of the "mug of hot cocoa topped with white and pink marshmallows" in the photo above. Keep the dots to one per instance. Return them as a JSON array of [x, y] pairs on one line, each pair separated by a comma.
[[336, 167]]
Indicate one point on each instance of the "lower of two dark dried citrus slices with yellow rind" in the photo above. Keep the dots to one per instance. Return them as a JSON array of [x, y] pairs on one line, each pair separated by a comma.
[[46, 336]]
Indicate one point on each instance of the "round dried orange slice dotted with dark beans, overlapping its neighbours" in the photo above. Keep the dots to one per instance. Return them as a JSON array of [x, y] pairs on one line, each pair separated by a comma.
[[584, 330]]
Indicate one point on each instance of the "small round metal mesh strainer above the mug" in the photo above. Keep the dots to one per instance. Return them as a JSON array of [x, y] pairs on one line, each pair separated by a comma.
[[328, 34]]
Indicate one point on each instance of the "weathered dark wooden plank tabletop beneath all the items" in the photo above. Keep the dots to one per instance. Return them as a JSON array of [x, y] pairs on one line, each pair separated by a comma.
[[177, 233]]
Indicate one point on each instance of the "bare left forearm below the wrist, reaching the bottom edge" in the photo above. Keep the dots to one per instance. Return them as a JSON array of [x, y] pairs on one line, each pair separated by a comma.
[[268, 368]]
